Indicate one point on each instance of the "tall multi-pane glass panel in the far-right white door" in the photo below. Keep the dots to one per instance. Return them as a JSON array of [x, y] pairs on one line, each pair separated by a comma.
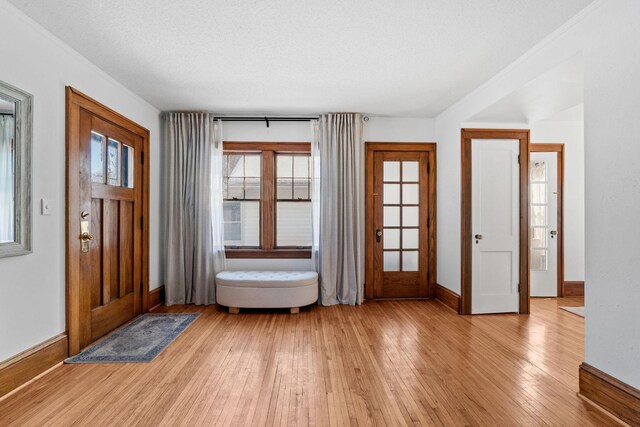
[[539, 229]]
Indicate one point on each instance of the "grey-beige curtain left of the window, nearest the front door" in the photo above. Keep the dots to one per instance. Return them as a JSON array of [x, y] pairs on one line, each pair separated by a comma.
[[193, 253]]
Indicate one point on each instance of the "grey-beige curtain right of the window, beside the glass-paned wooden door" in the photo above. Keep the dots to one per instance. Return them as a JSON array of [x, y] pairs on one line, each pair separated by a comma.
[[340, 257]]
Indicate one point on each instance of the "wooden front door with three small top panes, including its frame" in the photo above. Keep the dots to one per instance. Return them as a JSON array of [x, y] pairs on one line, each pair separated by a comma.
[[106, 210]]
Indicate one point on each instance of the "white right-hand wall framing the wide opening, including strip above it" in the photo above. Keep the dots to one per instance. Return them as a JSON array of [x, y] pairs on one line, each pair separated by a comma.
[[606, 34]]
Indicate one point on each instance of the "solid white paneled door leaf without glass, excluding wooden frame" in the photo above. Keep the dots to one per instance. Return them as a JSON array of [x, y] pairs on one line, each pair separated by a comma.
[[495, 225]]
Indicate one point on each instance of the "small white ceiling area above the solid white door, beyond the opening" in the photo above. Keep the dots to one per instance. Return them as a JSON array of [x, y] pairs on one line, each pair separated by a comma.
[[555, 91]]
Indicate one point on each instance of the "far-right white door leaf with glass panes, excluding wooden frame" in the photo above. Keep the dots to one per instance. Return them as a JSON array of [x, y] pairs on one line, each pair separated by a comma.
[[543, 230]]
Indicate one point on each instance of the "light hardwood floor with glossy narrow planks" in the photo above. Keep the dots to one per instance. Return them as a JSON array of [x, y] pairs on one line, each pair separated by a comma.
[[392, 362]]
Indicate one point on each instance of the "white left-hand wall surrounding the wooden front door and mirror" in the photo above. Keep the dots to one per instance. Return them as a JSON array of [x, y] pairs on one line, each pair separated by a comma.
[[32, 287]]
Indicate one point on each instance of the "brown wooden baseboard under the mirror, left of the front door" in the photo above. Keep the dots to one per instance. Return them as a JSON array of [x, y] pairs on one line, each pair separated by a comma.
[[25, 366]]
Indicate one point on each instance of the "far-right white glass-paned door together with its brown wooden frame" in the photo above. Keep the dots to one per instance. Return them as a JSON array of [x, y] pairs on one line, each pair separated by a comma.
[[547, 231]]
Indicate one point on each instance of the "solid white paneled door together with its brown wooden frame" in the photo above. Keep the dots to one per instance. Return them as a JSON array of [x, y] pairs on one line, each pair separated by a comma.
[[494, 221]]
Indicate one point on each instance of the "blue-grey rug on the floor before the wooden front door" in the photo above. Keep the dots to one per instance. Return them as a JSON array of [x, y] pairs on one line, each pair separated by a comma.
[[139, 341]]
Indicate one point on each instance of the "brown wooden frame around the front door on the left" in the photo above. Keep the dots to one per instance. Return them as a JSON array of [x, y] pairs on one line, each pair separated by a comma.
[[75, 310]]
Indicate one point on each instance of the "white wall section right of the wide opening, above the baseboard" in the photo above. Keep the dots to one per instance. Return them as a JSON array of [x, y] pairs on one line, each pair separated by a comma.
[[612, 168]]
